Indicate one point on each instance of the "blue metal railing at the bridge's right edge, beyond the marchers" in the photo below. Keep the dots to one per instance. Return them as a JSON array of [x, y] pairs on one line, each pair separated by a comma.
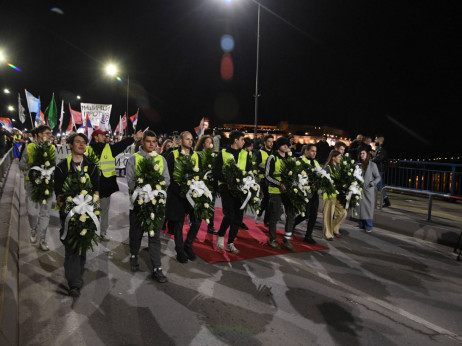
[[432, 177]]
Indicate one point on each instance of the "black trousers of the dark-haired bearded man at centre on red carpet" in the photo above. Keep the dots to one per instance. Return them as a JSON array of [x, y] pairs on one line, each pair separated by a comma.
[[232, 215]]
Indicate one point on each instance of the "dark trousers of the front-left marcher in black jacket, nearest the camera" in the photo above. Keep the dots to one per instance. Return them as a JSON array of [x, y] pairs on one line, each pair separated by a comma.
[[74, 263]]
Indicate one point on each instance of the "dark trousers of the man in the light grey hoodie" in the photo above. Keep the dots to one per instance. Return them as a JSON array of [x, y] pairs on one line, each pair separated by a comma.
[[136, 235]]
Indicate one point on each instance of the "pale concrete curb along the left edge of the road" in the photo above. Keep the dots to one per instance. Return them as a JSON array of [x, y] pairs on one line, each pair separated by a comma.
[[9, 257]]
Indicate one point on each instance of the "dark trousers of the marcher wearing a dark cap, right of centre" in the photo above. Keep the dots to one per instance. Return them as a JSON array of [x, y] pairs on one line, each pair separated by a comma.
[[275, 210]]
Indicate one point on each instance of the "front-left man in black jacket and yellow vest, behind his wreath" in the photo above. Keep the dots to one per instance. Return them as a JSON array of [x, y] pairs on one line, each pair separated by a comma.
[[76, 162]]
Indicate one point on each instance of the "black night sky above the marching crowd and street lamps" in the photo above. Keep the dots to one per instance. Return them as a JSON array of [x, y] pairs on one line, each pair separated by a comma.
[[390, 67]]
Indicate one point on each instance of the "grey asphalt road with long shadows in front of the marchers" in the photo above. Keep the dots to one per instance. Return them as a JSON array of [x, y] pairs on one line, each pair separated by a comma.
[[382, 288]]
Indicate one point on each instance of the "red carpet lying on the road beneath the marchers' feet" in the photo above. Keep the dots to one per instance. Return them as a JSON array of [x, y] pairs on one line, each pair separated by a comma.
[[251, 243]]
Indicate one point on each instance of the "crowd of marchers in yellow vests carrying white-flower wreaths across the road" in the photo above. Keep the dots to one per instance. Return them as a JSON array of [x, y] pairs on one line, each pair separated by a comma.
[[93, 165]]
